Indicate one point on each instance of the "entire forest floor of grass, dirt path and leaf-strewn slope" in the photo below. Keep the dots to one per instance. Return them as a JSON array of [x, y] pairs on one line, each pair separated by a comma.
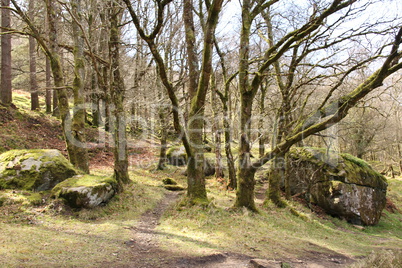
[[147, 226]]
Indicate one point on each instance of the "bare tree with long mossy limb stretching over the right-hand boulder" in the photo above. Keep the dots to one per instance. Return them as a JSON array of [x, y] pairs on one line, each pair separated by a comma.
[[328, 112]]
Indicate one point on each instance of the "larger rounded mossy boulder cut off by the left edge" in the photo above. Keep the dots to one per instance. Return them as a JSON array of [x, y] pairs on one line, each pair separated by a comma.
[[36, 170]]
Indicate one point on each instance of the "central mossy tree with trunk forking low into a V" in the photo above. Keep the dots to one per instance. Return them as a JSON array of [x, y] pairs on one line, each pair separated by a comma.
[[192, 138]]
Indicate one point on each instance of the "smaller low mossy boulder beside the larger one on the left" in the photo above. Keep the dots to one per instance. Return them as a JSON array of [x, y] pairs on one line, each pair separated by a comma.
[[86, 191]]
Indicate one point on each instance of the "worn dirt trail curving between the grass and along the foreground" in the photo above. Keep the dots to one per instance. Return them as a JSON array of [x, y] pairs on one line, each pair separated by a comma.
[[146, 251]]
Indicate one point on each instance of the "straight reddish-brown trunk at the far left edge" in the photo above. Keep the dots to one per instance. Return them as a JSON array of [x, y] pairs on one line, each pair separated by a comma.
[[5, 87]]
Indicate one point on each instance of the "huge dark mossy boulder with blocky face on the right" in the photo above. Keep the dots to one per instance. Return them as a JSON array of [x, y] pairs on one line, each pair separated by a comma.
[[343, 185]]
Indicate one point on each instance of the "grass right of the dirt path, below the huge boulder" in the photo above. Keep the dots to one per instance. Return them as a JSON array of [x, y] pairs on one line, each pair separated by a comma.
[[275, 233]]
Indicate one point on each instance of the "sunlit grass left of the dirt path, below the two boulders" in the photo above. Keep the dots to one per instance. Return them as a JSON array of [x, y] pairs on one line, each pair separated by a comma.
[[43, 237]]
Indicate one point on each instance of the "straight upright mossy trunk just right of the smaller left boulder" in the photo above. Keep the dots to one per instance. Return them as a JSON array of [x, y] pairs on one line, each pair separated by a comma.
[[117, 92]]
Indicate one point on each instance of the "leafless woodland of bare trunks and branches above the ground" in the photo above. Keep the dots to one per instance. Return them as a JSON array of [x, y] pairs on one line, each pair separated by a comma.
[[268, 74]]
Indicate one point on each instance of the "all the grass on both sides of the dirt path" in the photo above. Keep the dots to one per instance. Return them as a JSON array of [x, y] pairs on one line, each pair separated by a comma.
[[39, 233]]
